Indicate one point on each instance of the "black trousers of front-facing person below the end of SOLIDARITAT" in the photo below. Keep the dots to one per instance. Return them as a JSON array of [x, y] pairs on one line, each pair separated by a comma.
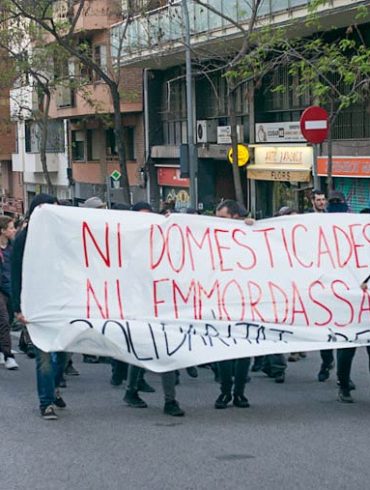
[[239, 368]]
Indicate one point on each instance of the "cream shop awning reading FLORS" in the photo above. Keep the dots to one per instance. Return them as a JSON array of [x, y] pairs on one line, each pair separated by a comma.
[[286, 164]]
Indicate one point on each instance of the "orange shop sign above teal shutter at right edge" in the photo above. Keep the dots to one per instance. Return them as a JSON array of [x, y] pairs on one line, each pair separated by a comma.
[[345, 166]]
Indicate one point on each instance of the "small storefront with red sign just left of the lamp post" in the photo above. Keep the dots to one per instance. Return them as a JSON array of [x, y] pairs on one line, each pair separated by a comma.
[[173, 188]]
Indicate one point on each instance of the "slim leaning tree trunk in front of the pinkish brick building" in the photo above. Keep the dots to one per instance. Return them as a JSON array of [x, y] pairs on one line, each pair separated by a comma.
[[119, 134]]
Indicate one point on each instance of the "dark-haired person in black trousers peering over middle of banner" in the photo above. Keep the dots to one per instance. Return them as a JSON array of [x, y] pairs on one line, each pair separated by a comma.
[[230, 209]]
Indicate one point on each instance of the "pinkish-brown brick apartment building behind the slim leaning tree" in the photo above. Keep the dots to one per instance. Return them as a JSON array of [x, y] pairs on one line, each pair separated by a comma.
[[88, 111]]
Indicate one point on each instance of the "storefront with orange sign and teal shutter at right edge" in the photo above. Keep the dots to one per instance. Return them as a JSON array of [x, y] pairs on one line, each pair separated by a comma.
[[351, 176]]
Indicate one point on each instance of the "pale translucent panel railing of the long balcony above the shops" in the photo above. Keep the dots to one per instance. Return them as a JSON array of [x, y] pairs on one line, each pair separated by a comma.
[[162, 30]]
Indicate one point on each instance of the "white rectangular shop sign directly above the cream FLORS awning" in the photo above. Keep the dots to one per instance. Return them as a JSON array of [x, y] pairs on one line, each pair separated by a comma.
[[280, 132]]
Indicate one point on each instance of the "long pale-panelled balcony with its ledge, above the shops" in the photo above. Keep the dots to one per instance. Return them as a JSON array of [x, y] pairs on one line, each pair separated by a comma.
[[156, 39]]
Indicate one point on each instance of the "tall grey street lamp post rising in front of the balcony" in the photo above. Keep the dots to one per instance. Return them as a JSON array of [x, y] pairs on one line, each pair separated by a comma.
[[193, 152]]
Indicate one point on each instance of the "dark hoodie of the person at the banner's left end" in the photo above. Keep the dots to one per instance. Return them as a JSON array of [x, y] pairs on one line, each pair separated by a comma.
[[18, 251]]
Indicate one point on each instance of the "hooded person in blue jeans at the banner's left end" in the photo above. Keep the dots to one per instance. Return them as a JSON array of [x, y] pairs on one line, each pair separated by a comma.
[[49, 367]]
